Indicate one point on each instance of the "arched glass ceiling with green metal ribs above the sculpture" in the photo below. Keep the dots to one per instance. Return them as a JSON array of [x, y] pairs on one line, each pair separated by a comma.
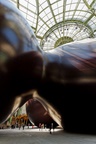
[[56, 22]]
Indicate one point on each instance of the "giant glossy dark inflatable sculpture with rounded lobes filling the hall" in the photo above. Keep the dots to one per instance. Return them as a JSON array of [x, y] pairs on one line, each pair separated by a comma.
[[63, 80]]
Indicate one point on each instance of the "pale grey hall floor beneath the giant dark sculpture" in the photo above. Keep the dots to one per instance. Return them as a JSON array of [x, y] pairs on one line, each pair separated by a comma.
[[34, 136]]
